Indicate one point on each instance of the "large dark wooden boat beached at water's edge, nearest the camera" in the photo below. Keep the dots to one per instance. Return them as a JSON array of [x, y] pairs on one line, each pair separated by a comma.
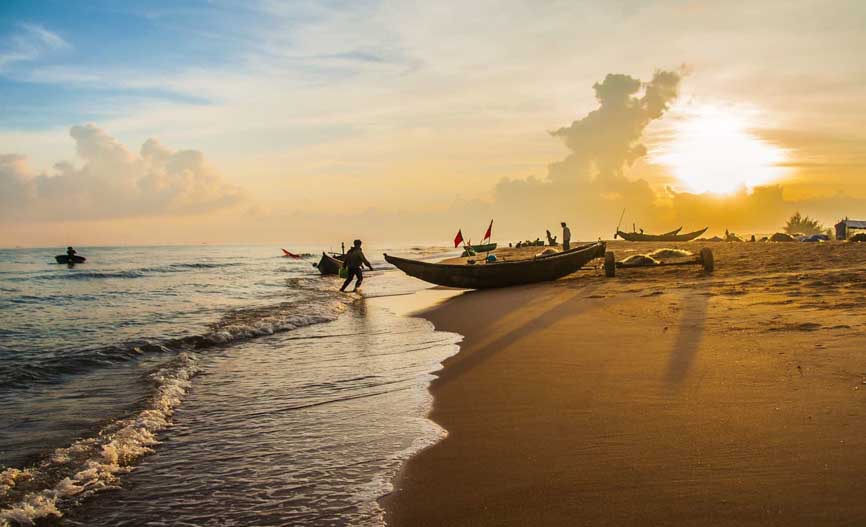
[[501, 273]]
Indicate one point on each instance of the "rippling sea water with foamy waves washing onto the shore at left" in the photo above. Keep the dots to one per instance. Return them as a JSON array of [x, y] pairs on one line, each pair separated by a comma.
[[206, 386]]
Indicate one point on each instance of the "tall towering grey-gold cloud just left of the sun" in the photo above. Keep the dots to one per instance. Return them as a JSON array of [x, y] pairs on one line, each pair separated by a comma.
[[589, 184]]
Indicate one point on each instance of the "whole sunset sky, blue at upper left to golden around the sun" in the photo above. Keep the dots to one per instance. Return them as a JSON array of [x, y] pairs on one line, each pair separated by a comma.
[[314, 122]]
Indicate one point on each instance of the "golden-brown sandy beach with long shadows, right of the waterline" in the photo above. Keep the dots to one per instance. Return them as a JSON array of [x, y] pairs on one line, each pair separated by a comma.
[[660, 397]]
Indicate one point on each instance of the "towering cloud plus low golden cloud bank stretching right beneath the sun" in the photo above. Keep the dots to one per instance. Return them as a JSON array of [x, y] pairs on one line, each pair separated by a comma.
[[593, 184]]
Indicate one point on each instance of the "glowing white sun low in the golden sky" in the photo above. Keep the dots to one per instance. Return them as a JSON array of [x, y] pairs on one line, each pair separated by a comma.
[[712, 150]]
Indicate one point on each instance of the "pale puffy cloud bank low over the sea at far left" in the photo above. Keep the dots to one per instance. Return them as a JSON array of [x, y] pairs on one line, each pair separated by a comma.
[[113, 182]]
